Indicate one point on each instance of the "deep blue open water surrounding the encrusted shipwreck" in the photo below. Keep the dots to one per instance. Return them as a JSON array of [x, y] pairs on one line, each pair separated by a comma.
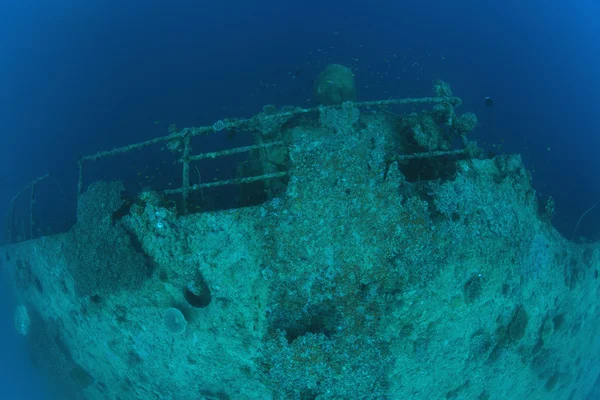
[[77, 78]]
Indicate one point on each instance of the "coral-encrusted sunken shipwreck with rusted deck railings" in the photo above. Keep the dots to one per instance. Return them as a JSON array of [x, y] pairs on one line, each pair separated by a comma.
[[383, 261]]
